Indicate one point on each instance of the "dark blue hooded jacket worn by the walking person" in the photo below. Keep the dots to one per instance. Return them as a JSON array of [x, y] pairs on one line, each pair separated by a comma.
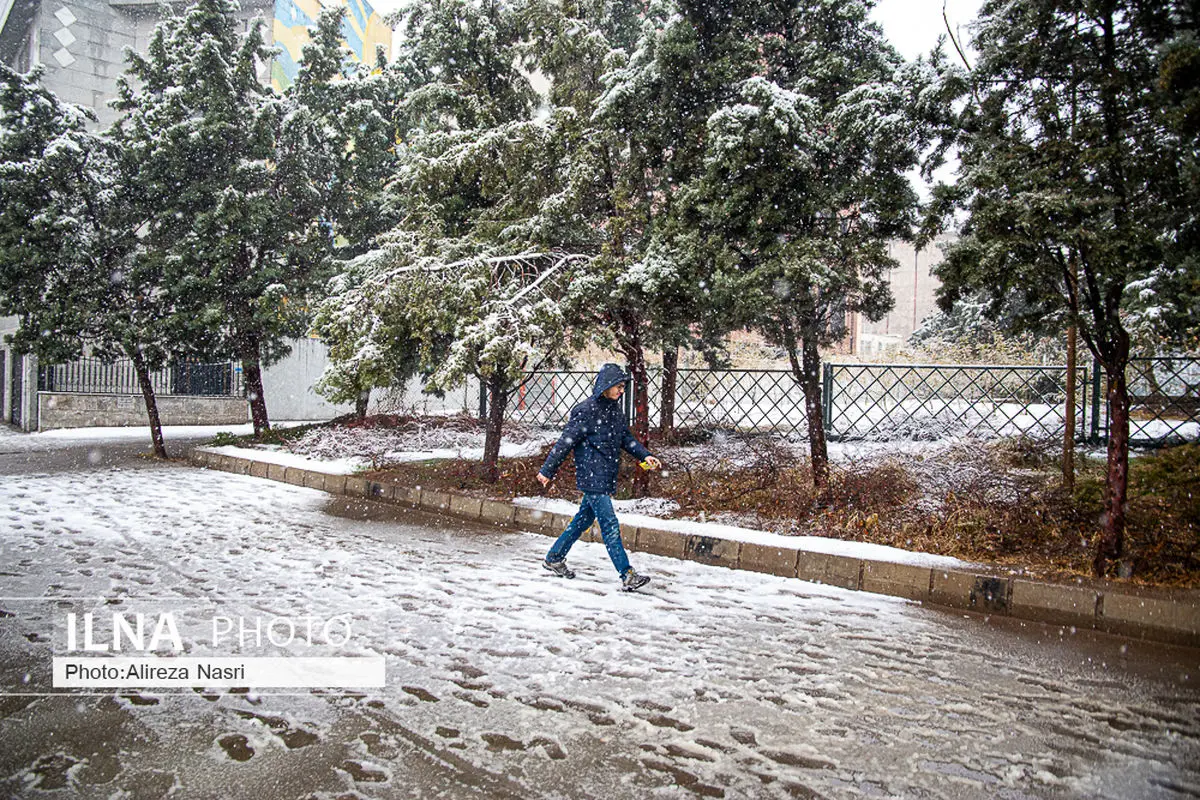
[[597, 434]]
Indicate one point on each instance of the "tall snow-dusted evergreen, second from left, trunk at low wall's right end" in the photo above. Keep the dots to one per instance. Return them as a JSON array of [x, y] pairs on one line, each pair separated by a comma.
[[232, 184]]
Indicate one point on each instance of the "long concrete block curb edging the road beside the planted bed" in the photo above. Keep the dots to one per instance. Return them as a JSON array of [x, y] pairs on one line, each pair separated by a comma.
[[1117, 610]]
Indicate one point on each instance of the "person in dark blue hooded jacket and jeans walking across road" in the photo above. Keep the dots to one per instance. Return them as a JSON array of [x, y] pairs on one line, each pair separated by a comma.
[[597, 434]]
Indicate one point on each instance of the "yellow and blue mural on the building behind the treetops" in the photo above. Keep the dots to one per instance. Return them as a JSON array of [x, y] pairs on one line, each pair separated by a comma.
[[363, 32]]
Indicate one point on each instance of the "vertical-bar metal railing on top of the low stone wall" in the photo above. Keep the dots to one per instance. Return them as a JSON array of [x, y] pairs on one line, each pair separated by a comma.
[[98, 377]]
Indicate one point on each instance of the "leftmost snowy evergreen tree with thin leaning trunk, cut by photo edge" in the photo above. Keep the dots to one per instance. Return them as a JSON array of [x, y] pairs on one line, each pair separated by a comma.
[[74, 263]]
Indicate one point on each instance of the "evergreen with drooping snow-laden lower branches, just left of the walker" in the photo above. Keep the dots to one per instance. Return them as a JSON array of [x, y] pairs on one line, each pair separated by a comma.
[[471, 170]]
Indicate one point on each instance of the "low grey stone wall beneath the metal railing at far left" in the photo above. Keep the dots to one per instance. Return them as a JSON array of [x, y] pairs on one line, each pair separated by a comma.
[[58, 411]]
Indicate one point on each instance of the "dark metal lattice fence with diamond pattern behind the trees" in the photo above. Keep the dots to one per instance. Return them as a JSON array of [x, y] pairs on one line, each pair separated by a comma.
[[902, 401]]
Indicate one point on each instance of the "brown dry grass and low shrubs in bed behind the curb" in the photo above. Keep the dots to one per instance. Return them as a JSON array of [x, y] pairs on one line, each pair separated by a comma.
[[998, 504]]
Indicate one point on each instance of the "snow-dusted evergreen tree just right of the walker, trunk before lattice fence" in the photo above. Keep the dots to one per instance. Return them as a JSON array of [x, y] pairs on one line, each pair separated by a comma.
[[806, 178]]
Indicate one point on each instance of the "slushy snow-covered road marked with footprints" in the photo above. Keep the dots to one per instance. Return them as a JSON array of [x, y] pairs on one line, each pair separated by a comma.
[[505, 682]]
